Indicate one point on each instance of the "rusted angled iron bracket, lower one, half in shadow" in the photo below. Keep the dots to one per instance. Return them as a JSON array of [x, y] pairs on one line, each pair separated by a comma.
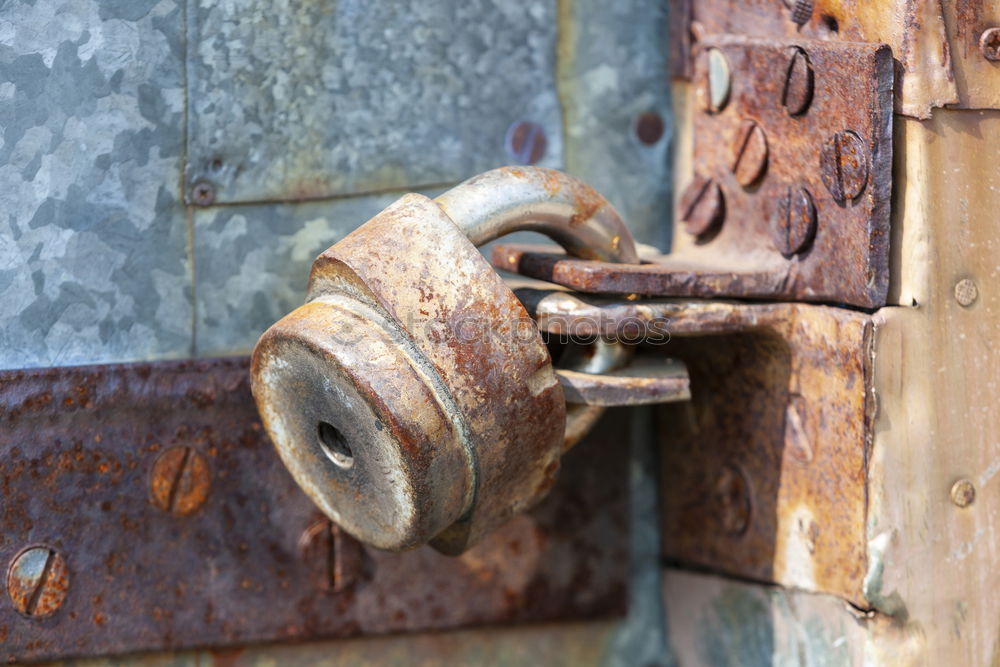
[[764, 470]]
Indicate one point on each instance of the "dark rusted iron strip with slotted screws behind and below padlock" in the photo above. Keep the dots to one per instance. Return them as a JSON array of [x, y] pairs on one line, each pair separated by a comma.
[[247, 564]]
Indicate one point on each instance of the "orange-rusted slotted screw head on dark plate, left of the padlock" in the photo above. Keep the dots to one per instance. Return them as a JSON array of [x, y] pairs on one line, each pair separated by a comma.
[[179, 481]]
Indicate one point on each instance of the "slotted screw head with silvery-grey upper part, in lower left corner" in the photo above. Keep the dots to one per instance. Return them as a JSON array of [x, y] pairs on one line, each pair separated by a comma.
[[37, 582]]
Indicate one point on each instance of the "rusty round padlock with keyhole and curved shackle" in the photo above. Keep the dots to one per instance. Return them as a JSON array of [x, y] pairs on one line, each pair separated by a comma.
[[412, 396]]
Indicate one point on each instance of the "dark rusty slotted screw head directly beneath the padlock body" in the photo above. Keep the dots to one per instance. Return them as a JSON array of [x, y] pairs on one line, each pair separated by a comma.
[[335, 559]]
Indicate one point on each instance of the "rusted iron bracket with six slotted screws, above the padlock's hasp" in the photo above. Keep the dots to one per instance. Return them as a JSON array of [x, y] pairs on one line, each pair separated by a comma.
[[838, 151]]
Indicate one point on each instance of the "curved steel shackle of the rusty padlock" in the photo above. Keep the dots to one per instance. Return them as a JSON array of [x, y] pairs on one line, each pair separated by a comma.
[[570, 212]]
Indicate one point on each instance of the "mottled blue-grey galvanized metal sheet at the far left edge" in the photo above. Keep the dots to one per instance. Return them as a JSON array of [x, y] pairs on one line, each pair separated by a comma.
[[93, 258]]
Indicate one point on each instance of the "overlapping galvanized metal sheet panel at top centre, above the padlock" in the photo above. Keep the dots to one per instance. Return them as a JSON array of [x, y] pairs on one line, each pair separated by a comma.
[[307, 100]]
